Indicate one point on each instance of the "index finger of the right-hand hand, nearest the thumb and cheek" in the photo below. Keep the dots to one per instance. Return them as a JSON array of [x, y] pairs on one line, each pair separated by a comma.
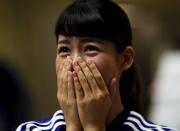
[[97, 75]]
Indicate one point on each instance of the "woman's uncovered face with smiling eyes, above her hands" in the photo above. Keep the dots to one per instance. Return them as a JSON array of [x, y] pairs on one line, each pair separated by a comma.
[[102, 53]]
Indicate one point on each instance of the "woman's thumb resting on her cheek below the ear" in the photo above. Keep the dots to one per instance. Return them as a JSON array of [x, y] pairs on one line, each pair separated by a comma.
[[112, 87]]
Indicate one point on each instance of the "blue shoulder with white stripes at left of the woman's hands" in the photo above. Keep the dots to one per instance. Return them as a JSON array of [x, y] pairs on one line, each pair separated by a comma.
[[56, 122]]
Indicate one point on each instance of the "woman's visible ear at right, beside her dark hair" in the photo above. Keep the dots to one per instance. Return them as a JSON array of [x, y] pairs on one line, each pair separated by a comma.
[[128, 57]]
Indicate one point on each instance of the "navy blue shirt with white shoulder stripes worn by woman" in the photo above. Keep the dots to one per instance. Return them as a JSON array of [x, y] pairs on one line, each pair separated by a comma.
[[125, 121]]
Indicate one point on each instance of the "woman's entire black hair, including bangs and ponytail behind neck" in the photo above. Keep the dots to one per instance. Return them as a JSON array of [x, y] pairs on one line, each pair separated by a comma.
[[103, 19]]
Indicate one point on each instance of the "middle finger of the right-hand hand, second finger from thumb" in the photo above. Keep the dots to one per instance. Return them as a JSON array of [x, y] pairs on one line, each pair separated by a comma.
[[88, 74]]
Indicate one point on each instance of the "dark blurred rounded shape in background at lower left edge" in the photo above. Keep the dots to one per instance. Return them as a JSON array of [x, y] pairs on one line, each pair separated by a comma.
[[13, 100]]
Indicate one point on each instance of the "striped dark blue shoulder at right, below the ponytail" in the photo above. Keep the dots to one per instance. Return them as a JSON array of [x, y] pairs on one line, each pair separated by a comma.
[[136, 122]]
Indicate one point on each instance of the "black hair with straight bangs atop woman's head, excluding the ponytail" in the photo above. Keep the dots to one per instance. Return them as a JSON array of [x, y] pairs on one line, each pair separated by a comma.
[[104, 20]]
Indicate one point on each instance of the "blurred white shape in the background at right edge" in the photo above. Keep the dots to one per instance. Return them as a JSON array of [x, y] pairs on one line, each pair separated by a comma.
[[165, 88]]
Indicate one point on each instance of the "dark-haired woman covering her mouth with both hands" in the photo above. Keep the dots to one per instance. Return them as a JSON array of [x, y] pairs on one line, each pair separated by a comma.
[[98, 86]]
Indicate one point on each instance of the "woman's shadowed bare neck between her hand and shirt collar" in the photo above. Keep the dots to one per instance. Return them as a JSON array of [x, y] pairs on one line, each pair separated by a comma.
[[116, 109]]
